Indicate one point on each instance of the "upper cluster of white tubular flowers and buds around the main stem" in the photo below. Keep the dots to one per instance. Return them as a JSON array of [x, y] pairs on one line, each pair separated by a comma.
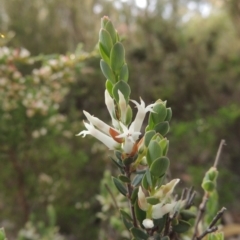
[[120, 136]]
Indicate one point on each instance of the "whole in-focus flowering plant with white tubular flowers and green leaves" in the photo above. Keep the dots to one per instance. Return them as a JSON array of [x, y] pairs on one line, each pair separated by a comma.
[[141, 155]]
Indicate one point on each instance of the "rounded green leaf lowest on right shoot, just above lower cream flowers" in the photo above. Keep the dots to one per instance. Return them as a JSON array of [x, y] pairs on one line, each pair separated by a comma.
[[159, 166]]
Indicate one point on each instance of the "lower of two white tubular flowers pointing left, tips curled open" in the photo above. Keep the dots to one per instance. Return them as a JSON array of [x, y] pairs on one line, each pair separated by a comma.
[[108, 141]]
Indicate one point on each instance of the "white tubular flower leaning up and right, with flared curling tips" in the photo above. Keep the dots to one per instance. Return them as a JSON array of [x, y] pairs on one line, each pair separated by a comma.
[[142, 110]]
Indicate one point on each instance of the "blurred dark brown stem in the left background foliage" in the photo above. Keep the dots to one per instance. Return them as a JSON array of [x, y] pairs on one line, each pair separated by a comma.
[[20, 184]]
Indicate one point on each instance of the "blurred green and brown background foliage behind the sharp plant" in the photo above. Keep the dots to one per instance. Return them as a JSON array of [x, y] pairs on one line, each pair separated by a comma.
[[185, 52]]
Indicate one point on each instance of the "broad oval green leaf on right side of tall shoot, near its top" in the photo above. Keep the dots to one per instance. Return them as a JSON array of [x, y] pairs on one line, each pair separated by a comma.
[[117, 57]]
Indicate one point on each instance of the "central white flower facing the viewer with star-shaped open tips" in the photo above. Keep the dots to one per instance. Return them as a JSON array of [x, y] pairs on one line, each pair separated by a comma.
[[130, 138]]
